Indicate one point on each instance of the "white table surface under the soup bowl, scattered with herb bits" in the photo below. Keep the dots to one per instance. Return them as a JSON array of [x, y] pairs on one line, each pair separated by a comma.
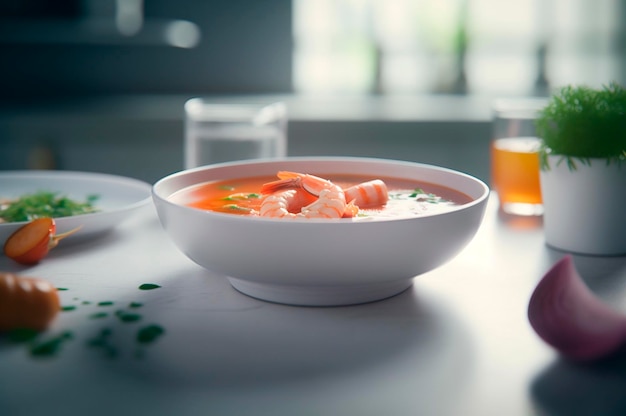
[[457, 343]]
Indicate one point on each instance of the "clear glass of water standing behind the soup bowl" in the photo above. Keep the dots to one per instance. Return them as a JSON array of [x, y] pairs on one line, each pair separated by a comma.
[[217, 132]]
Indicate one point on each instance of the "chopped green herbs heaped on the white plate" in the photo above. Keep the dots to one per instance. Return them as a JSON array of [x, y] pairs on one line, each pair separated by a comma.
[[44, 204]]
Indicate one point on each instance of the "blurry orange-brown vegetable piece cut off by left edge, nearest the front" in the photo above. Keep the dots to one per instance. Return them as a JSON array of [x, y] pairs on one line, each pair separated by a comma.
[[26, 302]]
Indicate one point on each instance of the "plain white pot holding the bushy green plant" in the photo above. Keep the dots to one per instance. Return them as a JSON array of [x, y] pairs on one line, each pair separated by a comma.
[[585, 208]]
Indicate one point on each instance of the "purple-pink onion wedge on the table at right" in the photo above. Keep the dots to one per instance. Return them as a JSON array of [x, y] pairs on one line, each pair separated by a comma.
[[568, 316]]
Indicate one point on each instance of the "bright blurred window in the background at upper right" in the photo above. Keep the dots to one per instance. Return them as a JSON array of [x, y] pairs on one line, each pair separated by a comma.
[[524, 47]]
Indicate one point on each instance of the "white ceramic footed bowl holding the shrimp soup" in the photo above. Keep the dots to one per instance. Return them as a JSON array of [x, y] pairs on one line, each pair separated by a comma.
[[323, 262]]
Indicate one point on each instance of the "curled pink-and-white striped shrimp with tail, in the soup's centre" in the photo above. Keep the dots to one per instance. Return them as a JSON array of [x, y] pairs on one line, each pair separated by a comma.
[[330, 202]]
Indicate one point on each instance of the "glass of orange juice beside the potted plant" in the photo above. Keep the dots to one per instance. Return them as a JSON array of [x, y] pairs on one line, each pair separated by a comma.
[[515, 156]]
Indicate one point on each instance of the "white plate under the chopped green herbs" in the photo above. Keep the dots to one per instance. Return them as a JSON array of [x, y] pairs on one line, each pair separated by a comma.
[[118, 198]]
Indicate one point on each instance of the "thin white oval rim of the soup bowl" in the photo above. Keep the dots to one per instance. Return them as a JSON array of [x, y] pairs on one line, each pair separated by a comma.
[[157, 196]]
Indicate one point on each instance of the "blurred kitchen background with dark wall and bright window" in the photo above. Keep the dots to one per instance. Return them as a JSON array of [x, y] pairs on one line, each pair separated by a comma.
[[99, 85]]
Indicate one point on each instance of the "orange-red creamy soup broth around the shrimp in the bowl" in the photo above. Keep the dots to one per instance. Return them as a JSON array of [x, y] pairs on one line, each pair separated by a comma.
[[242, 196]]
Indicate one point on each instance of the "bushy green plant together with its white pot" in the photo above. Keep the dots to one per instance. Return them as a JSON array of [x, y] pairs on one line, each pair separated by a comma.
[[583, 169]]
